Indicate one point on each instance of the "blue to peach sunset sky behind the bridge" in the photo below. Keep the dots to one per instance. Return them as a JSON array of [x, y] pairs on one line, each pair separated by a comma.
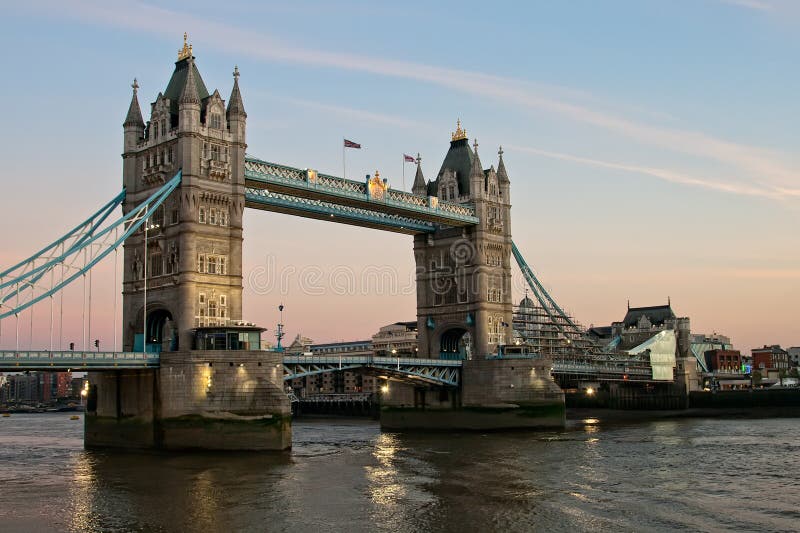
[[652, 145]]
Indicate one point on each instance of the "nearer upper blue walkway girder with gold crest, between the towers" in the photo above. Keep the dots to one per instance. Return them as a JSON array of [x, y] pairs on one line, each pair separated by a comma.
[[305, 183]]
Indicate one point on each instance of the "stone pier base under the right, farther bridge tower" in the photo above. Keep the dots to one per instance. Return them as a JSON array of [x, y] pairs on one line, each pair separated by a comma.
[[496, 394]]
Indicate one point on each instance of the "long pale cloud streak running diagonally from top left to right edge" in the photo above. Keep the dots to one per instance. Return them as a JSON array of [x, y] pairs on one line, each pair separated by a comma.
[[768, 172]]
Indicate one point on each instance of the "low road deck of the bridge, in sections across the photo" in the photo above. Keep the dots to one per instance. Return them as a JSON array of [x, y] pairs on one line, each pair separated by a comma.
[[433, 371]]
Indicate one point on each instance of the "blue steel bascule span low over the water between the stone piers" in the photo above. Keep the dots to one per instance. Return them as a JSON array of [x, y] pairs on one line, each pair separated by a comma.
[[432, 371]]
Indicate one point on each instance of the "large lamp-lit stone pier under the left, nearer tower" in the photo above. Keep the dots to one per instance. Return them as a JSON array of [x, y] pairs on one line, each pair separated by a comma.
[[209, 400]]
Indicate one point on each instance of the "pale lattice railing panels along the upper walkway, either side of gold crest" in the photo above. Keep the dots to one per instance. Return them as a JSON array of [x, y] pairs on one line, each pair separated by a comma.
[[258, 170]]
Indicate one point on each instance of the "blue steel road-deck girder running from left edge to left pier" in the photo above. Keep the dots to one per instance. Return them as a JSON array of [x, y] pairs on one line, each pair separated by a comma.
[[78, 361]]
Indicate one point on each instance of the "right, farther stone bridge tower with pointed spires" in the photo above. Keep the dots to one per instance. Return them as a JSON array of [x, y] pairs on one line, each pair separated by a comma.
[[464, 274]]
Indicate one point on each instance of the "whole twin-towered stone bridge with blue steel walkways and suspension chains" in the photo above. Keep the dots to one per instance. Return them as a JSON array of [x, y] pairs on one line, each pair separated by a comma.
[[190, 373]]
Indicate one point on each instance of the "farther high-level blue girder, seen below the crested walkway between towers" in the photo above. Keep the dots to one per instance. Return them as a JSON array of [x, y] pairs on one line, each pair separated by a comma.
[[321, 210]]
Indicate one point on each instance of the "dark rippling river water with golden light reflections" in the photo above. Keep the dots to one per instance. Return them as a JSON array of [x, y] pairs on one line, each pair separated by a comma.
[[342, 475]]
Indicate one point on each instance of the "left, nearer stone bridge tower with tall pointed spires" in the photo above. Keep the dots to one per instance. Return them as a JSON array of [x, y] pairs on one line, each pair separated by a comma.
[[193, 266]]
